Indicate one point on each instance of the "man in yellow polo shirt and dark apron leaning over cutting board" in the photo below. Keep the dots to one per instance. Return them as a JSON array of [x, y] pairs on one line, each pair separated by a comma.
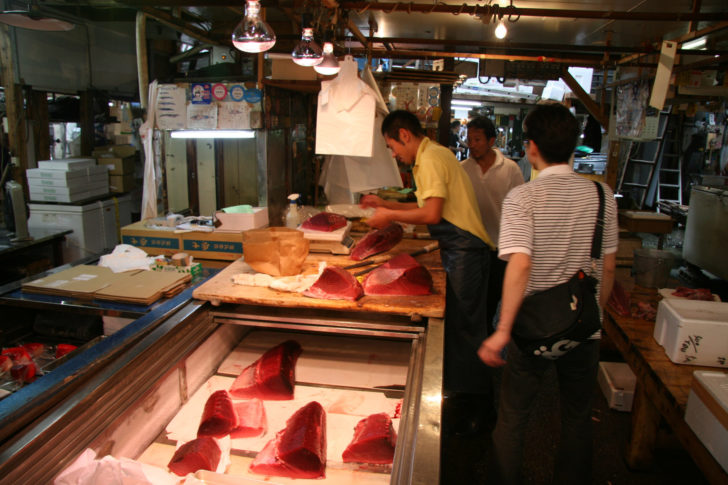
[[446, 203]]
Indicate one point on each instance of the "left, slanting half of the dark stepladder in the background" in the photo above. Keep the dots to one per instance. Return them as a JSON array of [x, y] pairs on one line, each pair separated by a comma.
[[637, 175]]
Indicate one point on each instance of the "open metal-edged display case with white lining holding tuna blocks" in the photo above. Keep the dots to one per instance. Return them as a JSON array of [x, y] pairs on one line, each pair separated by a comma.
[[148, 400]]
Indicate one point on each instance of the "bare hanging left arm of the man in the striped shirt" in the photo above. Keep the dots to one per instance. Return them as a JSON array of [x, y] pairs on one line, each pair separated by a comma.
[[515, 281]]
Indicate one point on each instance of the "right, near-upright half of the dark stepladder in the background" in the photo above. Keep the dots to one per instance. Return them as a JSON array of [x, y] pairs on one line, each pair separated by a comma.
[[669, 184]]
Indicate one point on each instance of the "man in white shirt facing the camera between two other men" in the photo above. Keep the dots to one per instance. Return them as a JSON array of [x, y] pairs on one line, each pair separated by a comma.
[[492, 175]]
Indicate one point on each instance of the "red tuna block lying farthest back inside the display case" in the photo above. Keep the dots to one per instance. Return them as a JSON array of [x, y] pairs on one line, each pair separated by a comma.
[[270, 377]]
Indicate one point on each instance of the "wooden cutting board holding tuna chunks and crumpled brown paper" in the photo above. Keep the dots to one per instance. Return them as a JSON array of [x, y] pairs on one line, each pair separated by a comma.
[[220, 289]]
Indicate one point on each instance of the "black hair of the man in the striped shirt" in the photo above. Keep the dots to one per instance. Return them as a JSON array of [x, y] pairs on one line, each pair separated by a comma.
[[554, 130]]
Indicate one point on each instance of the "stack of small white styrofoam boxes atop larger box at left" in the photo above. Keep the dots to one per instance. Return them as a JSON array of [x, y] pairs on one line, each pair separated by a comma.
[[69, 180]]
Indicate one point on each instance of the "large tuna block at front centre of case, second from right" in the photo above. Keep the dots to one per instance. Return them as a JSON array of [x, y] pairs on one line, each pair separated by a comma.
[[298, 450]]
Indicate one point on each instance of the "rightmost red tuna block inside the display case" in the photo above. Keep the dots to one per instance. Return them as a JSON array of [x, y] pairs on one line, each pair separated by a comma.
[[373, 442]]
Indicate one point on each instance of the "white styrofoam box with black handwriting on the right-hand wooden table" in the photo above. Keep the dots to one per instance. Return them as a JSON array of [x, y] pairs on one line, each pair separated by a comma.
[[693, 332]]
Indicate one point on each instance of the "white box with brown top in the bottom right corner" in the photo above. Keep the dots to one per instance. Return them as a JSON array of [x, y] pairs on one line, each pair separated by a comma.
[[707, 412]]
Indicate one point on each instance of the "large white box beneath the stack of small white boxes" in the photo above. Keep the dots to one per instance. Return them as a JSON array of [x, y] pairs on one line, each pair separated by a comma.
[[95, 225]]
